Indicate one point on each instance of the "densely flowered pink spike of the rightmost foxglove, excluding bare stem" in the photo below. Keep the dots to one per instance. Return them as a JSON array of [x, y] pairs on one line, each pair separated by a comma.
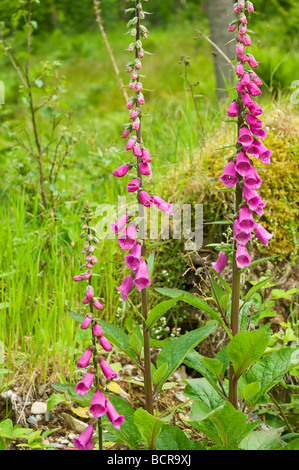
[[240, 169]]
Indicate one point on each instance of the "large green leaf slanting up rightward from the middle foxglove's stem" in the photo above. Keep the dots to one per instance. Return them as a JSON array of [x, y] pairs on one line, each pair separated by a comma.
[[175, 352]]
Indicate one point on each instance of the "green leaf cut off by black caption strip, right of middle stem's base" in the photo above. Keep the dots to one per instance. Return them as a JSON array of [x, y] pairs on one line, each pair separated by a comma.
[[173, 438]]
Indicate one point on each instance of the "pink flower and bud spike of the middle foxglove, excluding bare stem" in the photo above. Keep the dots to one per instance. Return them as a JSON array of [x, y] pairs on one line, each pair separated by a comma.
[[125, 227]]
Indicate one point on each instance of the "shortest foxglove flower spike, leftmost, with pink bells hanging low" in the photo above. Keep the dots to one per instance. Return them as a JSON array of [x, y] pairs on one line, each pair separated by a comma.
[[97, 369]]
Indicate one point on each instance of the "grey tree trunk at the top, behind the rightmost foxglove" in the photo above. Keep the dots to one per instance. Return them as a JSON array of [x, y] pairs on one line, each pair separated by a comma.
[[220, 13]]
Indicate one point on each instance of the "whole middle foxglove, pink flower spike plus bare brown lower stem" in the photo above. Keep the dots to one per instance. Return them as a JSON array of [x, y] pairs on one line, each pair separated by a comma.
[[127, 227]]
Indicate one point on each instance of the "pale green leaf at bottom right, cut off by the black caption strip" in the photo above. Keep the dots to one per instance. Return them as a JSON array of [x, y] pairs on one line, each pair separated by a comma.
[[262, 440]]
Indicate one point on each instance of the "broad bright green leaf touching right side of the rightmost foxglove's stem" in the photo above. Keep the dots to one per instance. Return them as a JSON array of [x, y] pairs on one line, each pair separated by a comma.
[[246, 348]]
